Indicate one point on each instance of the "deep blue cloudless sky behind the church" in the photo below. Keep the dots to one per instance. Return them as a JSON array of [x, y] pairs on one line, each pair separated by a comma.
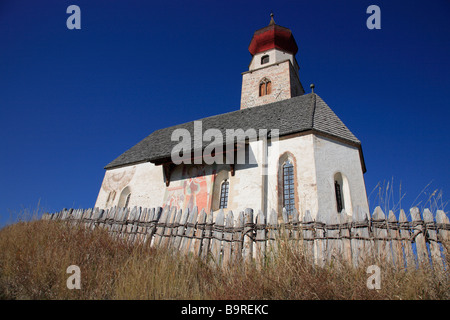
[[71, 101]]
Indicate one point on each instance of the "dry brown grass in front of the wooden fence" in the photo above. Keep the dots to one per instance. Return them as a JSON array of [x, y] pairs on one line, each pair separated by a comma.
[[34, 257]]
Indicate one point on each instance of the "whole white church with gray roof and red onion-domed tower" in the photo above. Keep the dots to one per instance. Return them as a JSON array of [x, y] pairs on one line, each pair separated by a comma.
[[306, 158]]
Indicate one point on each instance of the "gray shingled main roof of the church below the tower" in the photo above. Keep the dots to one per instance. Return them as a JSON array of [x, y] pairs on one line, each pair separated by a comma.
[[298, 114]]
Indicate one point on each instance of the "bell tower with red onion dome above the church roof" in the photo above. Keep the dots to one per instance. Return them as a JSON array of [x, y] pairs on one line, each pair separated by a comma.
[[273, 70]]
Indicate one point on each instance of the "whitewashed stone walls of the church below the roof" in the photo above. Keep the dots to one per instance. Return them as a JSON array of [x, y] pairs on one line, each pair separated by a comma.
[[317, 160]]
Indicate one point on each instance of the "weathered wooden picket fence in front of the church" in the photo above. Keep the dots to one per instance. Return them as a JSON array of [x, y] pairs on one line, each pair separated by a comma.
[[224, 238]]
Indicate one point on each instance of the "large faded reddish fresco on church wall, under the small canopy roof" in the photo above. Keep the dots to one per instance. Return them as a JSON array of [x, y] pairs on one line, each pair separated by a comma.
[[194, 189]]
